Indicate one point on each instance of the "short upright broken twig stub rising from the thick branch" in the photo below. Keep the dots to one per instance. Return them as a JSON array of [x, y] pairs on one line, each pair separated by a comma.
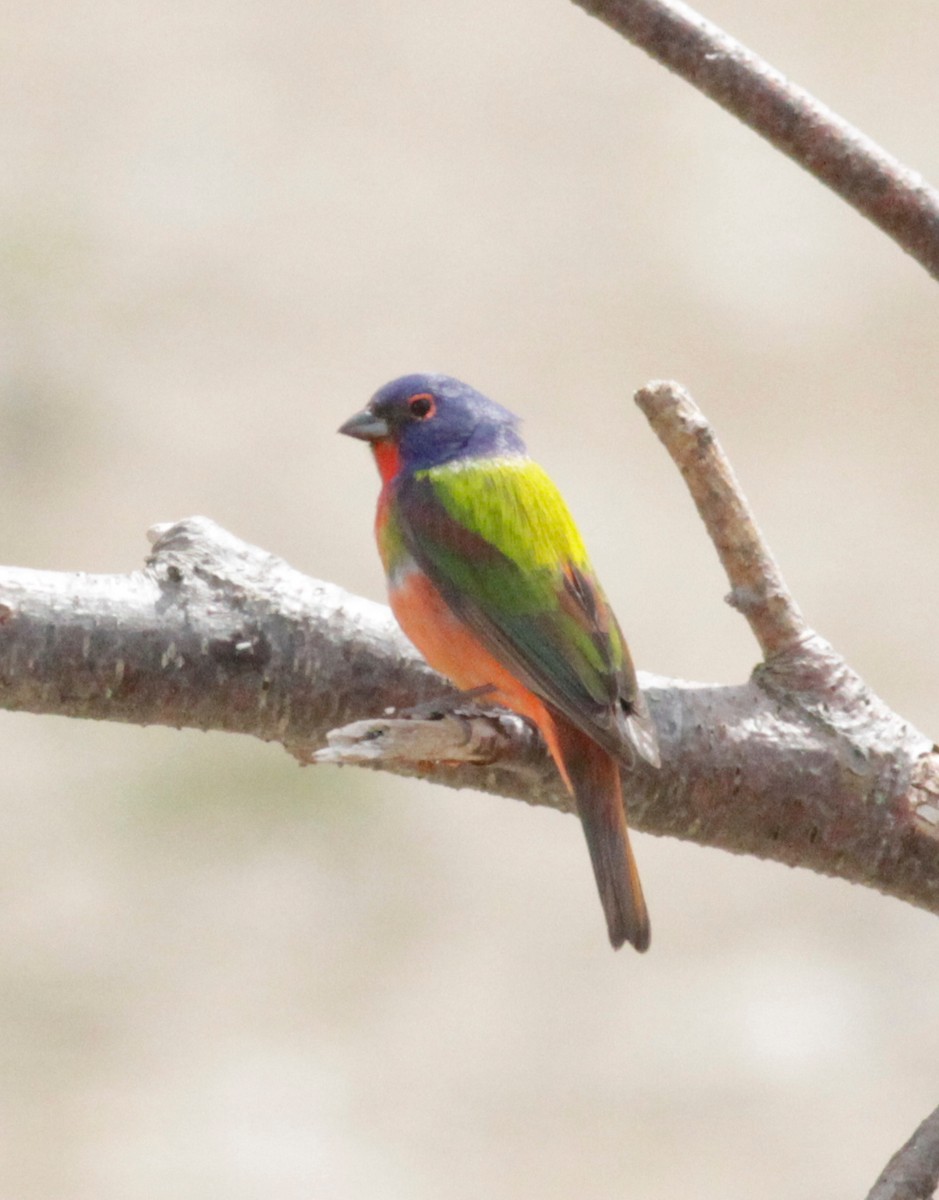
[[758, 590]]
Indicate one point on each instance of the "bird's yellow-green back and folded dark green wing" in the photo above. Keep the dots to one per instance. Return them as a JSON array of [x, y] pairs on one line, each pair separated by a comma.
[[499, 543]]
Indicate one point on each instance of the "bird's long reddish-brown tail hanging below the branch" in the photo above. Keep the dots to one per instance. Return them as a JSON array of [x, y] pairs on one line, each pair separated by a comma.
[[595, 779]]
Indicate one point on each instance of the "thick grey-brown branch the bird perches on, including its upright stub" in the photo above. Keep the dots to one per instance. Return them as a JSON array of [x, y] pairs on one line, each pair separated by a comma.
[[803, 764]]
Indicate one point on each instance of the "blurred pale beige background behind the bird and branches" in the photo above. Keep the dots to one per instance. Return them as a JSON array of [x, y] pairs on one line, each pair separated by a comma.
[[223, 226]]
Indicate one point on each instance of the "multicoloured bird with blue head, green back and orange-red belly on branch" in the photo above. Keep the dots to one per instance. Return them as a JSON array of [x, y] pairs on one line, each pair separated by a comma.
[[491, 580]]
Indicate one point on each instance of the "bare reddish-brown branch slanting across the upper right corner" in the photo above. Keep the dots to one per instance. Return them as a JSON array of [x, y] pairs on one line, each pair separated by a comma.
[[882, 189]]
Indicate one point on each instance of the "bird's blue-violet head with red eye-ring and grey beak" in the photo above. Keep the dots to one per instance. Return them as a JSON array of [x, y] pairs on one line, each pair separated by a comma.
[[424, 421]]
